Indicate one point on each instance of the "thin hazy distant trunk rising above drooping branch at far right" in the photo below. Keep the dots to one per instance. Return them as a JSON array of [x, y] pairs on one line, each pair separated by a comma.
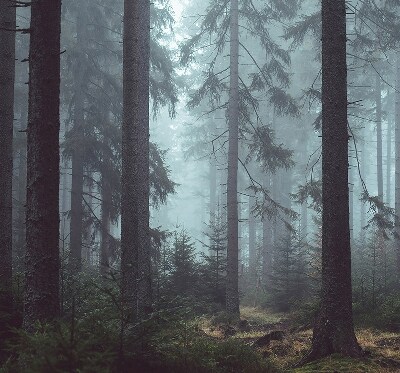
[[379, 158]]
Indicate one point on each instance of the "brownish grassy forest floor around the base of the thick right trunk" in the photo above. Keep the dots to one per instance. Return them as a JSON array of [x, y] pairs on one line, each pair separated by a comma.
[[284, 345]]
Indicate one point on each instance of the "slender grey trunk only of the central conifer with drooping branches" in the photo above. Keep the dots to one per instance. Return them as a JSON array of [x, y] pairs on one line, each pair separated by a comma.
[[232, 281]]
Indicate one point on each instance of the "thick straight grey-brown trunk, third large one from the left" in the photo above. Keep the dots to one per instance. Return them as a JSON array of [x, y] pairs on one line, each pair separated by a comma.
[[135, 239]]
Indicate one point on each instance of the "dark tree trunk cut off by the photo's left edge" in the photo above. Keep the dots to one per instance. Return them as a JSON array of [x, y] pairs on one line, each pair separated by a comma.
[[7, 77]]
